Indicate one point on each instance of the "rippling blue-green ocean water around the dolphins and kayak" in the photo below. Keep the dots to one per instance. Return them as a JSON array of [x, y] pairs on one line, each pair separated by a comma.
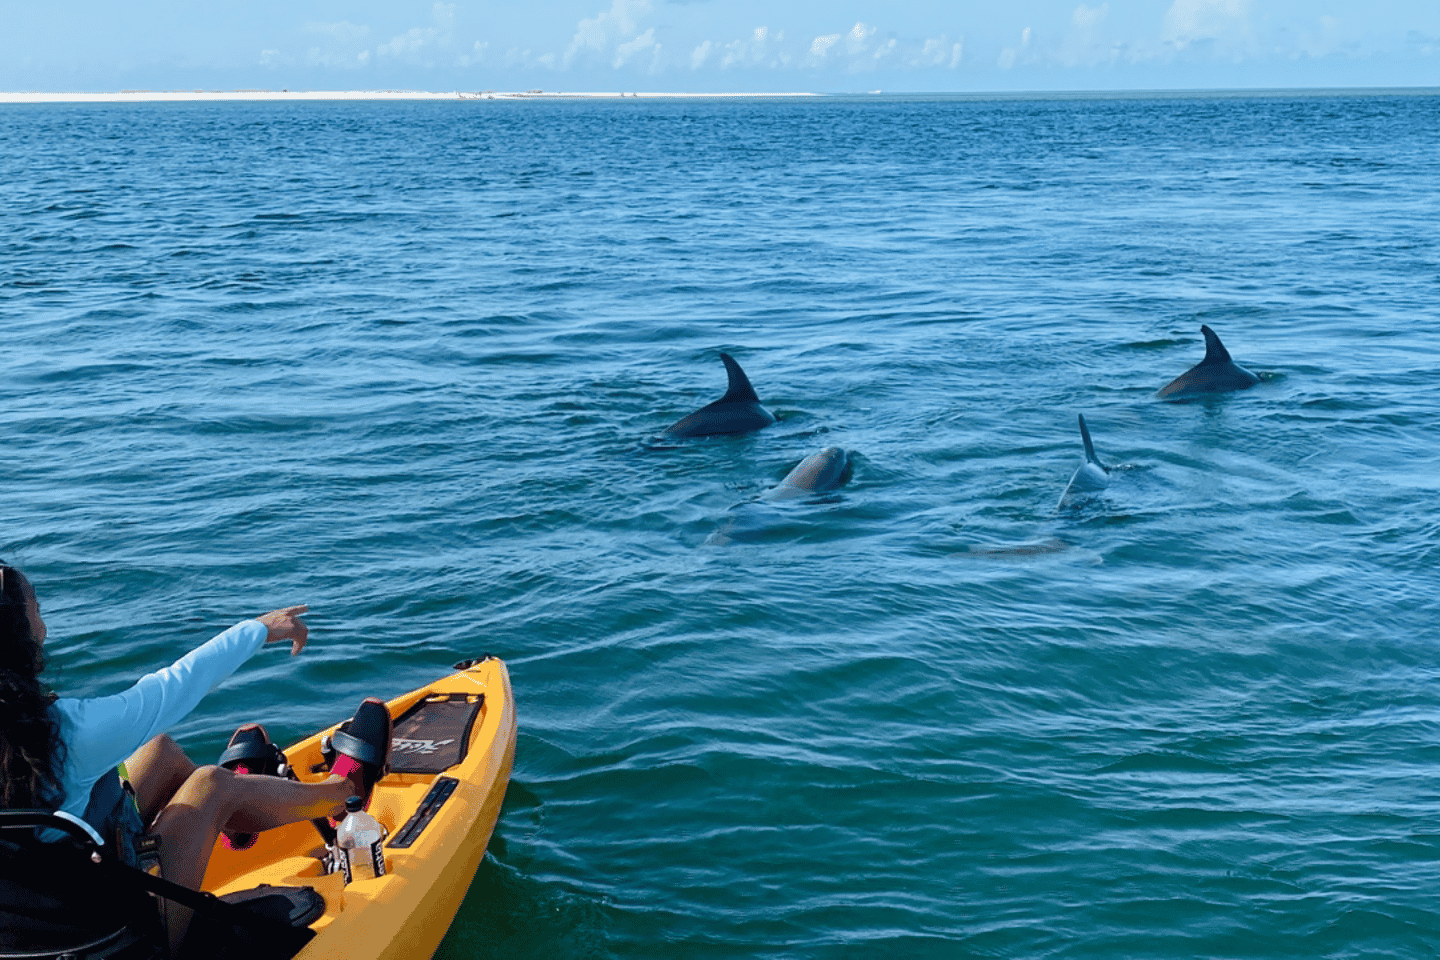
[[410, 363]]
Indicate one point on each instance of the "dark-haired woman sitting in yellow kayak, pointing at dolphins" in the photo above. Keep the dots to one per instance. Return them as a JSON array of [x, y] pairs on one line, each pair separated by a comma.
[[107, 761]]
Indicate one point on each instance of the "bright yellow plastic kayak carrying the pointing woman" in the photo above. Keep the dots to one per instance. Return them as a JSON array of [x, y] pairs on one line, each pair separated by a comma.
[[450, 762]]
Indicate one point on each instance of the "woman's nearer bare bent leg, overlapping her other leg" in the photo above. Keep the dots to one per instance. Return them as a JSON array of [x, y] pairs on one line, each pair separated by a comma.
[[212, 800]]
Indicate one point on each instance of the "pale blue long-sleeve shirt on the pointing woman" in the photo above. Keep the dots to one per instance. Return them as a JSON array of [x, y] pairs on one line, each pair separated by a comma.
[[102, 732]]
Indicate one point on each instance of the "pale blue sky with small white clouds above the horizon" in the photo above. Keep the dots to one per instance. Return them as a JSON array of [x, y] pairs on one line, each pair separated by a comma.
[[719, 45]]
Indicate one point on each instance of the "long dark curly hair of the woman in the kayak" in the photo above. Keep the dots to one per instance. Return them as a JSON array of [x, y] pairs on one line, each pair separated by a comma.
[[31, 752]]
